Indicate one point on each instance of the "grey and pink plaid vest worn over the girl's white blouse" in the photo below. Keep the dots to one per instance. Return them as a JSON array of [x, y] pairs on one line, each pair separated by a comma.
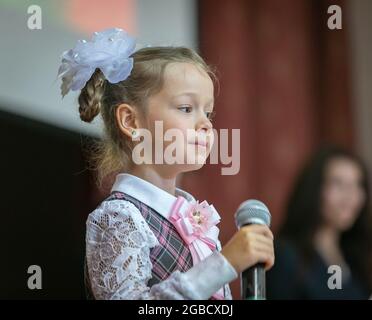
[[172, 254]]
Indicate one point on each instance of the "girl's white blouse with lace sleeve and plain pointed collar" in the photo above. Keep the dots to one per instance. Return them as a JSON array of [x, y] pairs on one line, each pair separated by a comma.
[[118, 243]]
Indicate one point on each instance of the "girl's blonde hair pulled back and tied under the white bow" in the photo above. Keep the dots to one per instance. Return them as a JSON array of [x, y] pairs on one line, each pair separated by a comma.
[[113, 153]]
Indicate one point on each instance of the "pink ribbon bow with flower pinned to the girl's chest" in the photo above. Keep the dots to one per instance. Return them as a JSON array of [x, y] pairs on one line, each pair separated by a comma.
[[197, 227]]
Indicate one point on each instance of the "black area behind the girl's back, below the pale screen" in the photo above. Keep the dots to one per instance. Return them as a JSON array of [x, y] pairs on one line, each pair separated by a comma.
[[45, 199]]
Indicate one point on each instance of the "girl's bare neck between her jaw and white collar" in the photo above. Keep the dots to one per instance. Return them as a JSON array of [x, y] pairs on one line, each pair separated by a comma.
[[156, 177]]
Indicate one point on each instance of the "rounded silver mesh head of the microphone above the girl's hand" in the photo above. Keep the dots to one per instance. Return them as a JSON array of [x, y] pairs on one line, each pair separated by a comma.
[[252, 212]]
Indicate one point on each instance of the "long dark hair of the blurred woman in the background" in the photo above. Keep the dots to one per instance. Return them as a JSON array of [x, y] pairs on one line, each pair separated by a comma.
[[304, 216]]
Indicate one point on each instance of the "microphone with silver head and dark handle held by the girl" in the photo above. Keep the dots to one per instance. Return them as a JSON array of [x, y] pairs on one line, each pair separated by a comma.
[[253, 280]]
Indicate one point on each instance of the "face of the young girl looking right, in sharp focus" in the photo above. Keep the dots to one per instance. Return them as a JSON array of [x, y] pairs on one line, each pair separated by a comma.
[[184, 103]]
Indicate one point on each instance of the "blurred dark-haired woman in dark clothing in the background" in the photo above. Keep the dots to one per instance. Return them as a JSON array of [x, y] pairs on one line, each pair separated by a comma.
[[328, 223]]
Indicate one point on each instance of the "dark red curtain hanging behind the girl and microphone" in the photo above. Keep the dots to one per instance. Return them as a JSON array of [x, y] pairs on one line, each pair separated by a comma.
[[284, 84]]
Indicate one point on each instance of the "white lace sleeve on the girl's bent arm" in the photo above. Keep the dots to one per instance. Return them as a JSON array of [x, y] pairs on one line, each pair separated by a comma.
[[118, 244]]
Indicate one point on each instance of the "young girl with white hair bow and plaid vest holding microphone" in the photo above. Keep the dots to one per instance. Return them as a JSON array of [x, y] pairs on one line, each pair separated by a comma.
[[149, 239]]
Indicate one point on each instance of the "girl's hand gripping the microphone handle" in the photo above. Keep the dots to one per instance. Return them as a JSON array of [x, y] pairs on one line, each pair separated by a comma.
[[250, 245]]
